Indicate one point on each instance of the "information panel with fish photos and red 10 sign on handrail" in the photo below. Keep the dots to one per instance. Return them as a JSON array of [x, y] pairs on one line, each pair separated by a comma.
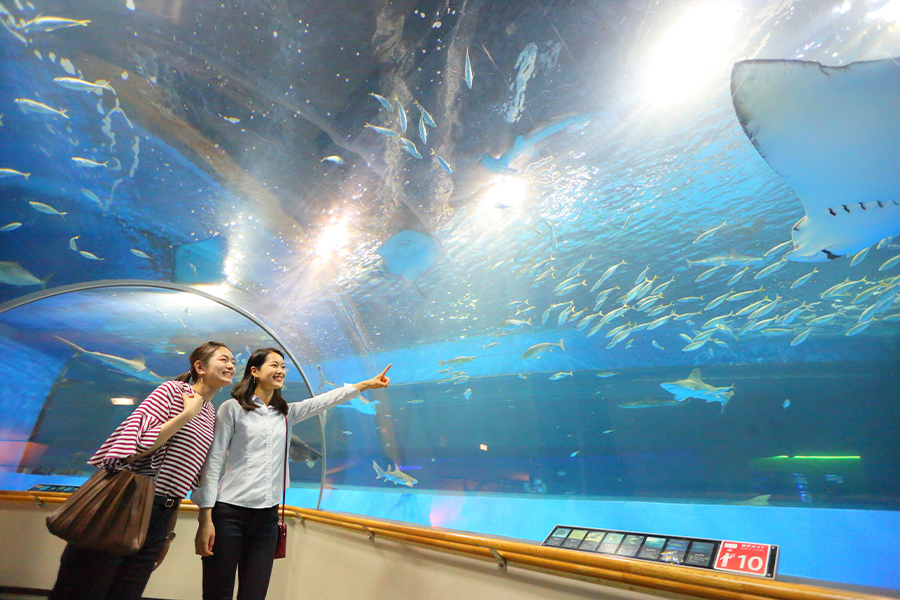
[[760, 560]]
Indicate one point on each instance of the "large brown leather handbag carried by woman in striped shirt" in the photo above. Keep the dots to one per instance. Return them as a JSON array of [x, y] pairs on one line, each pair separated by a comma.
[[110, 512]]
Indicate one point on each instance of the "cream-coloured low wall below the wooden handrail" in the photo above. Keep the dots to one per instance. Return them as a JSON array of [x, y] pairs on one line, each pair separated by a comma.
[[323, 562]]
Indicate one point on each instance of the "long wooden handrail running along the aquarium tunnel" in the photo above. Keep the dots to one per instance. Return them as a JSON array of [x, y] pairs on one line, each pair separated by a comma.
[[655, 576]]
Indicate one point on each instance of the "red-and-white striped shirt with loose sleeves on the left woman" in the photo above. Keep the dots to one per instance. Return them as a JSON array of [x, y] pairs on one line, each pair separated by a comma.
[[178, 462]]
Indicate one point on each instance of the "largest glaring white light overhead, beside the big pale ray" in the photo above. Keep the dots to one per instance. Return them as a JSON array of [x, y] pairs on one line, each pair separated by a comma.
[[689, 50]]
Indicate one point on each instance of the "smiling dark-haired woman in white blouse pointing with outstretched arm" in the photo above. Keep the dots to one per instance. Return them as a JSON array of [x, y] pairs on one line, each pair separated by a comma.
[[238, 528]]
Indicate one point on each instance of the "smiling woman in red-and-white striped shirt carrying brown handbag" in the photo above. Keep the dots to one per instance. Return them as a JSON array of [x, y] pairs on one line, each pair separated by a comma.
[[167, 436]]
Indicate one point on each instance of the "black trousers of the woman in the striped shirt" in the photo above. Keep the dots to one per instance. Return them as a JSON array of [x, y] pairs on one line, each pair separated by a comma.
[[93, 575]]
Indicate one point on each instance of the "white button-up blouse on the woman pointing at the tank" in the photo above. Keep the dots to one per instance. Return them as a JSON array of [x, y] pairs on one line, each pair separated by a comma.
[[250, 446]]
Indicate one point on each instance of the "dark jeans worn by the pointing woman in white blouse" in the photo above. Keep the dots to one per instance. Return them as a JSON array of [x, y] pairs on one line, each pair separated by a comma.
[[245, 542]]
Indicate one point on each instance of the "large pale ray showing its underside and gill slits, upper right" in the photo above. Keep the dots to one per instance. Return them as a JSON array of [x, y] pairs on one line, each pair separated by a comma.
[[833, 133]]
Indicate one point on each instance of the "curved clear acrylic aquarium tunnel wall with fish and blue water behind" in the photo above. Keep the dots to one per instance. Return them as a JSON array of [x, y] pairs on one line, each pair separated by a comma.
[[632, 262]]
